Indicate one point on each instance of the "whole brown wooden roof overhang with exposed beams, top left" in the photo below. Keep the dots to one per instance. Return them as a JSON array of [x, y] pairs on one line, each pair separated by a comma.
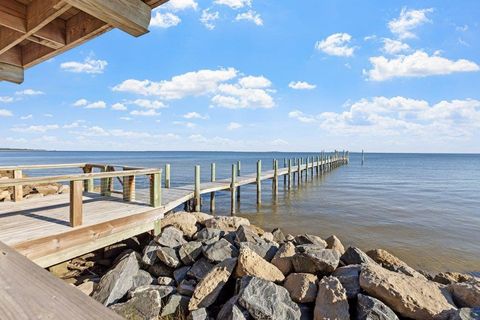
[[32, 31]]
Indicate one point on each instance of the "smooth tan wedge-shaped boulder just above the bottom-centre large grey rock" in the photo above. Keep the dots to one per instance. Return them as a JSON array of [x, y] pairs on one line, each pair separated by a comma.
[[251, 264]]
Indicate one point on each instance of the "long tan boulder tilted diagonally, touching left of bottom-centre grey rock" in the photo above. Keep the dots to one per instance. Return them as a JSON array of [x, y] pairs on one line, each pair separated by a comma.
[[209, 287]]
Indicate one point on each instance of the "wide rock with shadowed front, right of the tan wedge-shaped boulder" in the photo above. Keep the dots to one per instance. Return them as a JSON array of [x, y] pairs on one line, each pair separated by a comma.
[[323, 261]]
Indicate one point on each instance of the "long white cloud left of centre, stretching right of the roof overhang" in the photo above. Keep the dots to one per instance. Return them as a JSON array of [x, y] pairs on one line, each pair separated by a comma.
[[193, 83]]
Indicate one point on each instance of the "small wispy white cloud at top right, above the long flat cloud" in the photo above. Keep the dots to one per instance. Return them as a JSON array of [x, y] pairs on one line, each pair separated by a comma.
[[408, 20]]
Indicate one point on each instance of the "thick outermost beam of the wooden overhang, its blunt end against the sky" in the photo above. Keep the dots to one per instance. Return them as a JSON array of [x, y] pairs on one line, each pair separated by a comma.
[[131, 16]]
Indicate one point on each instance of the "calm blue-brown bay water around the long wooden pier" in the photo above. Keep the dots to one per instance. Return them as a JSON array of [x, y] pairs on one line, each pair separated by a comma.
[[424, 208]]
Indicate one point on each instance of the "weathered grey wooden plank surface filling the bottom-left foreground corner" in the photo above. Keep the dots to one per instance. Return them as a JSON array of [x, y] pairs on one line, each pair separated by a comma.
[[30, 292]]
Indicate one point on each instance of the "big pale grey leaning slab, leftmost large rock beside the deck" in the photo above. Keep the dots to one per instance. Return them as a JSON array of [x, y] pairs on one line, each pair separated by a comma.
[[115, 284]]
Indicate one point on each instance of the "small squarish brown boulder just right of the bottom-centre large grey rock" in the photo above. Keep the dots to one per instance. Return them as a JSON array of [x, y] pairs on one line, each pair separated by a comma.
[[301, 286]]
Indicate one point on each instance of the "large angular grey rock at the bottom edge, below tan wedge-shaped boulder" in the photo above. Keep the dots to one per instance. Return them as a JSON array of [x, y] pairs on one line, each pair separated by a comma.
[[268, 301]]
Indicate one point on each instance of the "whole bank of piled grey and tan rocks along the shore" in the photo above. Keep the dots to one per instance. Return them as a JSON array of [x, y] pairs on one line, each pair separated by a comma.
[[204, 267]]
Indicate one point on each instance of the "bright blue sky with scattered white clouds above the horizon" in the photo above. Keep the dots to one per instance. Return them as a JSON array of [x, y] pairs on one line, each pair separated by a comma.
[[262, 75]]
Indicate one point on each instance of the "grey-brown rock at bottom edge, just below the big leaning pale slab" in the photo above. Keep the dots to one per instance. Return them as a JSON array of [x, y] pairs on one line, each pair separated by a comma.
[[144, 305]]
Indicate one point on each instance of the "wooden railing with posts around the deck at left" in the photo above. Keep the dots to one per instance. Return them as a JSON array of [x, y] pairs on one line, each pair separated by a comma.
[[84, 182]]
